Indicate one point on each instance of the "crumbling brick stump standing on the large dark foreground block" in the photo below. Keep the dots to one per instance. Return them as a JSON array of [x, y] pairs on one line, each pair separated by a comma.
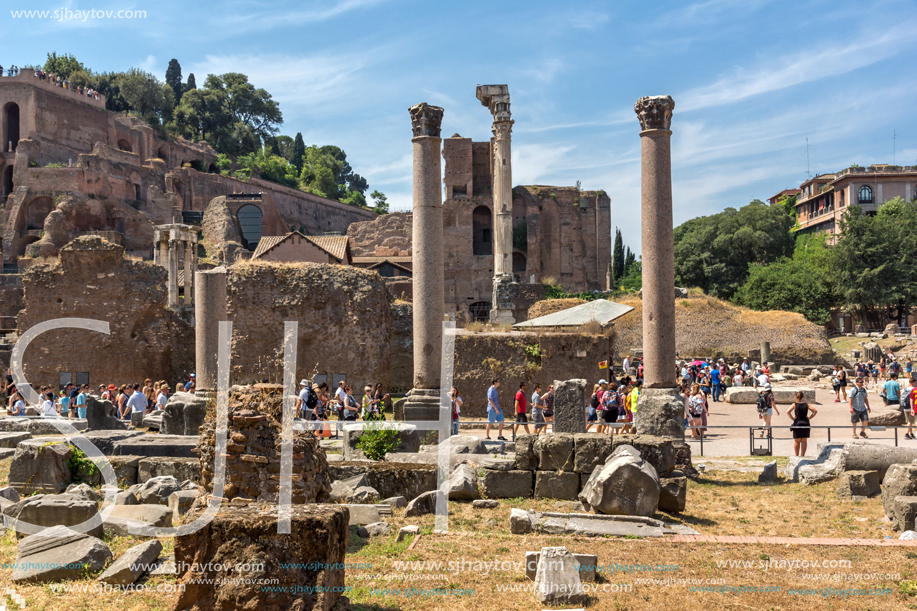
[[254, 447]]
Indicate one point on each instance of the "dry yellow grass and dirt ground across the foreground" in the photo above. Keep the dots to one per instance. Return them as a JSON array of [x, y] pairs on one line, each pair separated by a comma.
[[478, 565]]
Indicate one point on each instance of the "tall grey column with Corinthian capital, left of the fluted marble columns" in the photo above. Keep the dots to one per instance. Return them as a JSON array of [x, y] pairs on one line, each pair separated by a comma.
[[427, 263]]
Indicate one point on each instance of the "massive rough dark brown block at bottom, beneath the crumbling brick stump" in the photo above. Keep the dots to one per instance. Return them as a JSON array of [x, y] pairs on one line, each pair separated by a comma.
[[241, 547]]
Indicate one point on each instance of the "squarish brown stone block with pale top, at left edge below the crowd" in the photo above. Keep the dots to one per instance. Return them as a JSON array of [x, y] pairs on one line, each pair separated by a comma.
[[40, 465]]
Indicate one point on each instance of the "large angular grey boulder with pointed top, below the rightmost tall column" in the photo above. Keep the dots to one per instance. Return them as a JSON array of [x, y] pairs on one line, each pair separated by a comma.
[[624, 485]]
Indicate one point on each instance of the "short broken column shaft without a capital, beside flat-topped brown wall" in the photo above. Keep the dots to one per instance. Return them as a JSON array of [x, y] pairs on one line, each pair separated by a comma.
[[209, 310]]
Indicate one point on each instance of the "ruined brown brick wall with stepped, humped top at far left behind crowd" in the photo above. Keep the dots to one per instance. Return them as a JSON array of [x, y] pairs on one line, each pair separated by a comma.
[[94, 280]]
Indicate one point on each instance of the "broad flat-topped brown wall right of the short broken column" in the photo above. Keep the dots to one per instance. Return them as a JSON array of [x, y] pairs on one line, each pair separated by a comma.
[[344, 314]]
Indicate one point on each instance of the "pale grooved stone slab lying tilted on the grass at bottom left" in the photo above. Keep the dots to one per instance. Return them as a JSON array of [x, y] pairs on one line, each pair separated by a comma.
[[58, 553]]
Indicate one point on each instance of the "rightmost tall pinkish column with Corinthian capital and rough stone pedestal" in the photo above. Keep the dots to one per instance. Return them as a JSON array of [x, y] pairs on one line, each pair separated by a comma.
[[659, 412]]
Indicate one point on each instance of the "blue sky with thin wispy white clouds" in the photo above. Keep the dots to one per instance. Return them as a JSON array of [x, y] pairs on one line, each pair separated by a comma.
[[751, 79]]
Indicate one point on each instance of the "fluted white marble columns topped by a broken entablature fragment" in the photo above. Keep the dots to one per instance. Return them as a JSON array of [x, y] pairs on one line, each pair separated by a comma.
[[496, 99]]
